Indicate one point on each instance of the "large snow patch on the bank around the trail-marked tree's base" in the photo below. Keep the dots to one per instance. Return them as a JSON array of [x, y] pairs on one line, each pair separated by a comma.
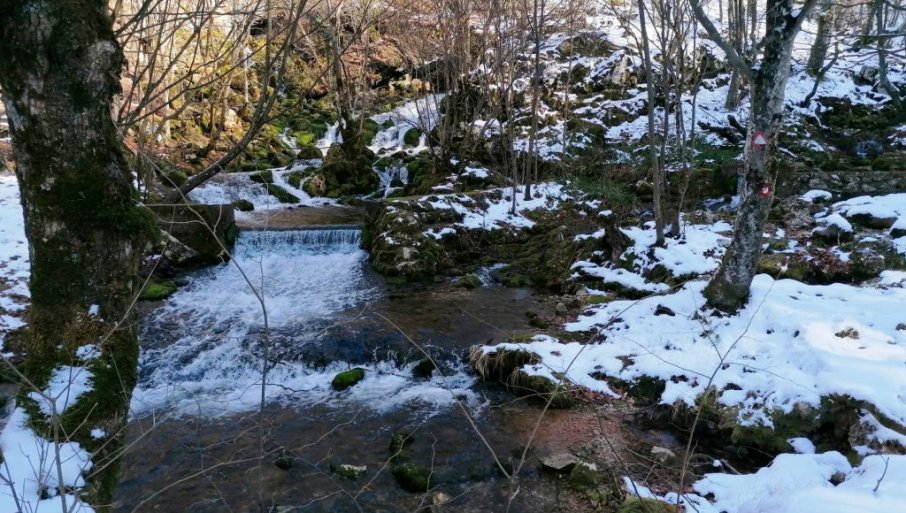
[[792, 344]]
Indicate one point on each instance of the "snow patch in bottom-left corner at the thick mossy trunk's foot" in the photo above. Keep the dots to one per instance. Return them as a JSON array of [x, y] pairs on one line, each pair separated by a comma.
[[33, 466]]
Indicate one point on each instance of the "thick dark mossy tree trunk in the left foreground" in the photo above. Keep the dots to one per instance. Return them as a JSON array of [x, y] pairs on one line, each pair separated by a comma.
[[59, 69]]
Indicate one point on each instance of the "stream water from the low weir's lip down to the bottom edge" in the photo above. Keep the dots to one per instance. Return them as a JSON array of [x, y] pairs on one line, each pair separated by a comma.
[[198, 434]]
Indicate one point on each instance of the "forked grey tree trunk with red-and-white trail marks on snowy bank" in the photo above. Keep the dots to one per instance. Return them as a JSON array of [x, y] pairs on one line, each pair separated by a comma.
[[729, 289]]
